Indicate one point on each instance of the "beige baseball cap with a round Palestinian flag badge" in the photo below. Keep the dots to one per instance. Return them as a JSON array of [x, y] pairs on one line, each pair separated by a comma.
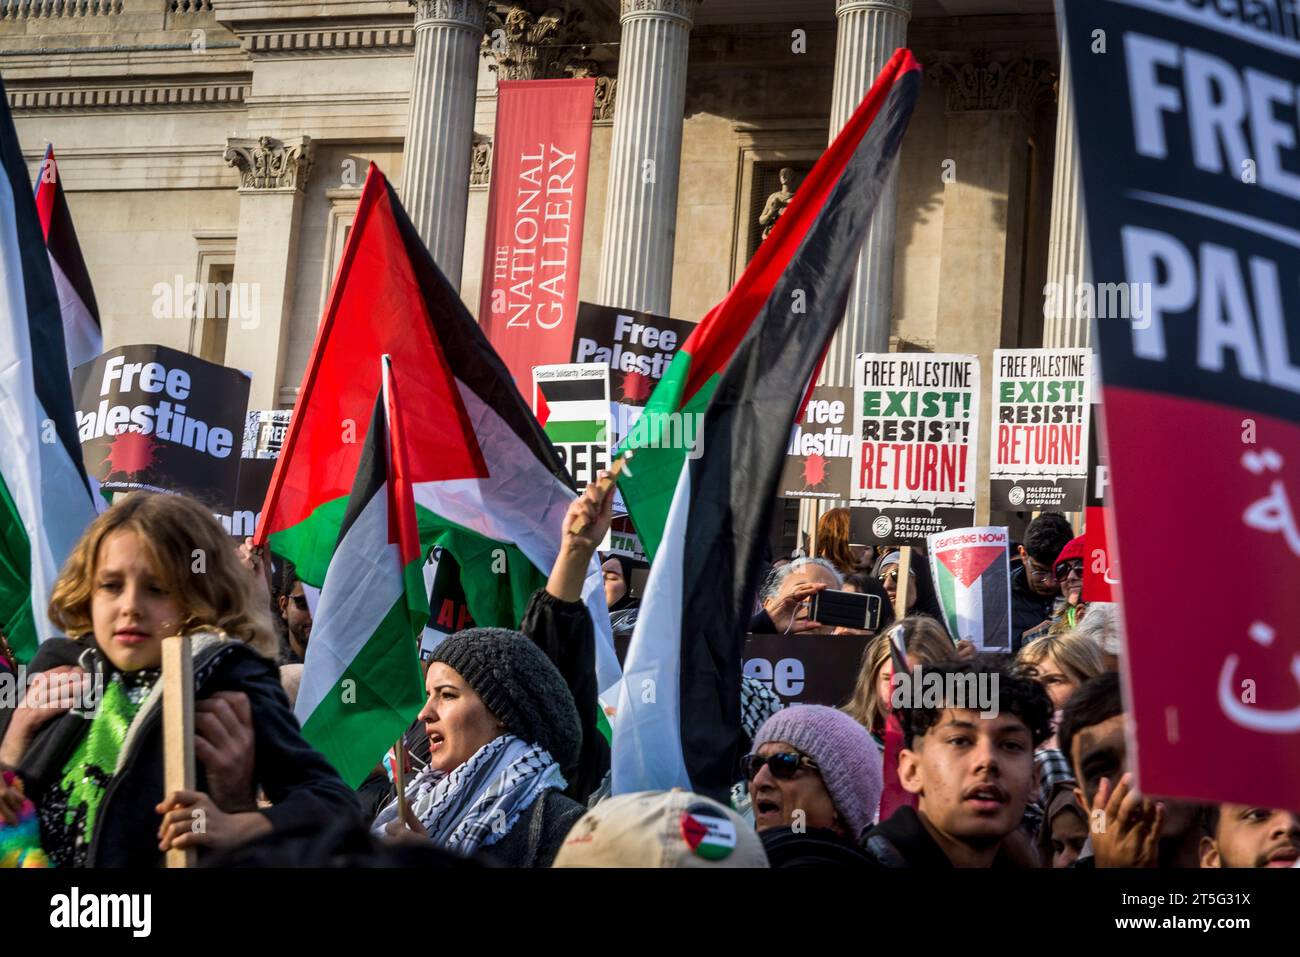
[[661, 829]]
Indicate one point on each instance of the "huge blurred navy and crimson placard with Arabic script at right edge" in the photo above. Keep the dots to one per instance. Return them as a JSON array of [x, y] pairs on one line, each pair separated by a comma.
[[1188, 132]]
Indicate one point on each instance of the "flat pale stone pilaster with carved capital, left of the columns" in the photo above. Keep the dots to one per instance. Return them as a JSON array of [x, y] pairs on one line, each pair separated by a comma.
[[272, 181]]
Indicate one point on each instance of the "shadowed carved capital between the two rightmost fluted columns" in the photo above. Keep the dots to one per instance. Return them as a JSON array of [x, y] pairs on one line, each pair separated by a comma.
[[1004, 84]]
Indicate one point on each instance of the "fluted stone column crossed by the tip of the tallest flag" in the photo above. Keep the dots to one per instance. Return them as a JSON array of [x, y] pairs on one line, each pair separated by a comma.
[[869, 34]]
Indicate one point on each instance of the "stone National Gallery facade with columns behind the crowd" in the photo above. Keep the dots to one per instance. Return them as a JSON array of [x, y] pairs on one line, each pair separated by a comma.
[[226, 141]]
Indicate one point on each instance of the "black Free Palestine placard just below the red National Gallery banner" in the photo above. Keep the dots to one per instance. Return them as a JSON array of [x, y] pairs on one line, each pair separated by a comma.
[[638, 348]]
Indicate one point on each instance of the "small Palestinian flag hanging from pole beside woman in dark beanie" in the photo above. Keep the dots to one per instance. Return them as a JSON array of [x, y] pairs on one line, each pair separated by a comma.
[[362, 685]]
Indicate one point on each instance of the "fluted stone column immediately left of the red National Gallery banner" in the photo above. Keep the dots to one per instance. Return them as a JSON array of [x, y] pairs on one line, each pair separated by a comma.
[[441, 127]]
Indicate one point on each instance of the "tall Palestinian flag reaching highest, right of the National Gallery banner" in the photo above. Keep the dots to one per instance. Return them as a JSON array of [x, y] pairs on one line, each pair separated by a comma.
[[746, 373]]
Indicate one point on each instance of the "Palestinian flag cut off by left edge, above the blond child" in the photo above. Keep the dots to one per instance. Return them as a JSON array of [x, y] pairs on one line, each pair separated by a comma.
[[45, 493]]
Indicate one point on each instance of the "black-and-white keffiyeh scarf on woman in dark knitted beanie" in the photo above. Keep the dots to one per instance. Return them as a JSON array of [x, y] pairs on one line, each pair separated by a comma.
[[479, 803]]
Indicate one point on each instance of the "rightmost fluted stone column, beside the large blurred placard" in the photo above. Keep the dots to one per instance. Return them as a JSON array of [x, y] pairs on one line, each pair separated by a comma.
[[1068, 243]]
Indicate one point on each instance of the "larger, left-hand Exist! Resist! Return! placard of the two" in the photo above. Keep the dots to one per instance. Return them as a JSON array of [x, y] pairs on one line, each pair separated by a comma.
[[917, 422]]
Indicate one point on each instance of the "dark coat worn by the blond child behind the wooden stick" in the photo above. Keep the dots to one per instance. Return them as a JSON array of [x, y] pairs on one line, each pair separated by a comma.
[[297, 780]]
